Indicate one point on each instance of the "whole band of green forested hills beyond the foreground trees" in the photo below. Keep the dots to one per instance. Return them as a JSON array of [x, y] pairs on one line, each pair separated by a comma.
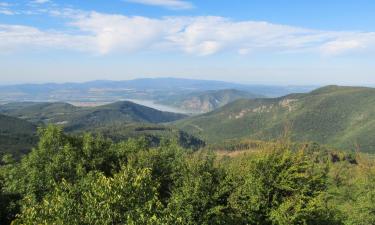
[[337, 116]]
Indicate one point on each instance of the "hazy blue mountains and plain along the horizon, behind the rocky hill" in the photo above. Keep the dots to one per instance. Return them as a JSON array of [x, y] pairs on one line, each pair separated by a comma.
[[142, 89]]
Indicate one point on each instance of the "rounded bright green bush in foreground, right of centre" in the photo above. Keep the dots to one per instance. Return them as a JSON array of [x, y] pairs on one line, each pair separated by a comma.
[[281, 187]]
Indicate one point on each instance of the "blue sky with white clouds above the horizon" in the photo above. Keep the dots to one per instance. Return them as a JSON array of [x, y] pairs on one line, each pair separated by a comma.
[[283, 42]]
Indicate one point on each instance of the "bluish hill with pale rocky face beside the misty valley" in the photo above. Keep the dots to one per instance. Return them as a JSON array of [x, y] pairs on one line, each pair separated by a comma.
[[207, 101]]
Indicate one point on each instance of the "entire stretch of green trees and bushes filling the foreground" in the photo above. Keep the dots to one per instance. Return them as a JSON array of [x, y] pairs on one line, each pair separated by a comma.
[[89, 179]]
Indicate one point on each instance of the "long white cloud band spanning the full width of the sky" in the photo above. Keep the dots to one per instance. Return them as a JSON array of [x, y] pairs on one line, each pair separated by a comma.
[[106, 33]]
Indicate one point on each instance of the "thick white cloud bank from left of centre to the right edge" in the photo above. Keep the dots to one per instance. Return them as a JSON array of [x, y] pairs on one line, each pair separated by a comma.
[[209, 35]]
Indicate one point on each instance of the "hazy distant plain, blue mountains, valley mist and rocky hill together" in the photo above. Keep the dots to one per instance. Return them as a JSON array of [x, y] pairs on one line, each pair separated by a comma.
[[168, 94]]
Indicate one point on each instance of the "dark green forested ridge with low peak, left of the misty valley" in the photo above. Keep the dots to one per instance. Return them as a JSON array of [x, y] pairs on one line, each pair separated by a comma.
[[83, 118]]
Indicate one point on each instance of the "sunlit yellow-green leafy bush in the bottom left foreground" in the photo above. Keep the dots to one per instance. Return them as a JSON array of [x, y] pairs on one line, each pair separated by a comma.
[[129, 197]]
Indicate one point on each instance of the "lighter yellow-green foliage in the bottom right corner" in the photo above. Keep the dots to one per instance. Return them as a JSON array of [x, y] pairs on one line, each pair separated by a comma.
[[353, 188]]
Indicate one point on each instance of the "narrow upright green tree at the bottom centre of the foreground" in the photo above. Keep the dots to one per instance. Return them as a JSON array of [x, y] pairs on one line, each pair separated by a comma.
[[195, 198]]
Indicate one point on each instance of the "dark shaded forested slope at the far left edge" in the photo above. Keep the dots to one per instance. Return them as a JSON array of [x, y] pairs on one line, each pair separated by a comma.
[[17, 136]]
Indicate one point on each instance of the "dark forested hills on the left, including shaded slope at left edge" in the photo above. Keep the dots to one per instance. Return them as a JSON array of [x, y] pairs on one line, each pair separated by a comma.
[[118, 121]]
